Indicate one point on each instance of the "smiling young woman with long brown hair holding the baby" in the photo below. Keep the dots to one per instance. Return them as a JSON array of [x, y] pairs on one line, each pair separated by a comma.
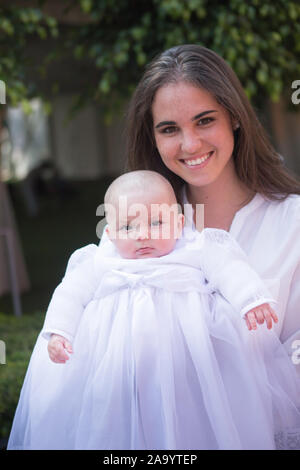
[[190, 120]]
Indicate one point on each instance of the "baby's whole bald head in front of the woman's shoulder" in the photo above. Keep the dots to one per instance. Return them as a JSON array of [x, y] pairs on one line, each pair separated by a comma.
[[143, 217]]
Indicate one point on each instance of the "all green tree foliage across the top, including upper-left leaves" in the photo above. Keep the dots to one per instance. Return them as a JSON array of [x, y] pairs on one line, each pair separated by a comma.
[[259, 39]]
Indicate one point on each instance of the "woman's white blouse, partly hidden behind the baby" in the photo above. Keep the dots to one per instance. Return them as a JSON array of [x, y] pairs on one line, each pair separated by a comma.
[[269, 233]]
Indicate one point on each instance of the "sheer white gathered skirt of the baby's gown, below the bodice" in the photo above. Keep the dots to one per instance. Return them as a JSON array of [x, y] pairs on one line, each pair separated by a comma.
[[176, 371]]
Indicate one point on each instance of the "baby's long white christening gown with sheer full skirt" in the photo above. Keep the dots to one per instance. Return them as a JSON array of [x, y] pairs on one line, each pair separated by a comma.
[[162, 356]]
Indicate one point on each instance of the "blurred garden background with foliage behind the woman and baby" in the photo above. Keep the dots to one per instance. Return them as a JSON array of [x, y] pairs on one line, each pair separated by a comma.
[[67, 71]]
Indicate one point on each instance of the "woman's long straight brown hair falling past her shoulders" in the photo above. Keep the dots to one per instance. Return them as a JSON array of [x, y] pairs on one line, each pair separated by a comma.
[[257, 163]]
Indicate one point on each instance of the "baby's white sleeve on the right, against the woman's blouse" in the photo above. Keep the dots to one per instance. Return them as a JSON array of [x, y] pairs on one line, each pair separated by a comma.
[[227, 269]]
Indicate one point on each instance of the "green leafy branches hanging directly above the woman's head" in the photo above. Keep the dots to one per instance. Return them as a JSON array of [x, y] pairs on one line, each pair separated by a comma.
[[259, 39]]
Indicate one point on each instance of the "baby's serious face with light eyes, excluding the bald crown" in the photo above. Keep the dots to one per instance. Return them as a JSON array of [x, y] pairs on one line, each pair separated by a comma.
[[145, 226]]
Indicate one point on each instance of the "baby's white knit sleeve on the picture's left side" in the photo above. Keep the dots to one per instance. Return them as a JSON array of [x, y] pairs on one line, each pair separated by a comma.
[[72, 294]]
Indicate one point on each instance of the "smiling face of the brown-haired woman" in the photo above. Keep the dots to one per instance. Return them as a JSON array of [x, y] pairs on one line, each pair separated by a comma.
[[193, 133]]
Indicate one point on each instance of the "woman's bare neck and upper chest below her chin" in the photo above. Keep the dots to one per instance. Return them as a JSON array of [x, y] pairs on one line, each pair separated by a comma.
[[221, 199]]
